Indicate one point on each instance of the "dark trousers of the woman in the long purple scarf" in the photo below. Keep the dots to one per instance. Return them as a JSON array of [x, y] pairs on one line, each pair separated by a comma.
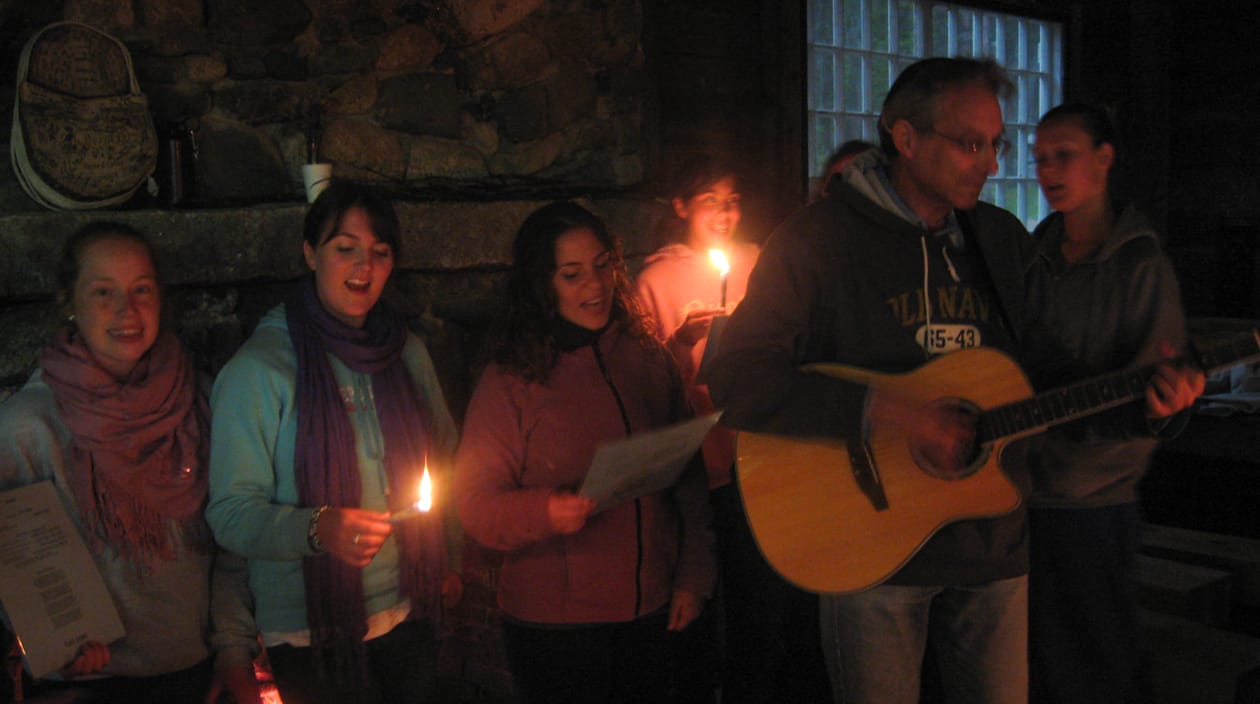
[[403, 668]]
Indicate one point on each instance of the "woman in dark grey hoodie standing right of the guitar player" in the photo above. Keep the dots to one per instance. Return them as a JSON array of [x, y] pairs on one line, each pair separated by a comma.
[[1102, 297]]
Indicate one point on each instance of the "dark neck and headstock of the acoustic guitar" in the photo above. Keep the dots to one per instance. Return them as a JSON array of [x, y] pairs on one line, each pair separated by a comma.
[[1101, 394]]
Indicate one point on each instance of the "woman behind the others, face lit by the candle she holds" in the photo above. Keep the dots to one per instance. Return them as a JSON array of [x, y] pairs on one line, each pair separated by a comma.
[[773, 649]]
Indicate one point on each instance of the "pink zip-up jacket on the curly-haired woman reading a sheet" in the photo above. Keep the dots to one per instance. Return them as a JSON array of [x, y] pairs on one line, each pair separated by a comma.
[[522, 441]]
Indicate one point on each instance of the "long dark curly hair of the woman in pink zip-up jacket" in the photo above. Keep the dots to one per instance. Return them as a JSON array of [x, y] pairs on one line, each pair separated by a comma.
[[526, 342]]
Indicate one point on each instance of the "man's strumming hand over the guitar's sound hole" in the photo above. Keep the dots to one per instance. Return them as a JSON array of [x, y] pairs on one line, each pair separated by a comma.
[[943, 435]]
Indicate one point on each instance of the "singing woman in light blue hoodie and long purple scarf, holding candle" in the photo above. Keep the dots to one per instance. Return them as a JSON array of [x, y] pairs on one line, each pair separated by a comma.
[[324, 423]]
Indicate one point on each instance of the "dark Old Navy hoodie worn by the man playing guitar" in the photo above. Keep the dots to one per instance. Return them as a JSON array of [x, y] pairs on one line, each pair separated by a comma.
[[842, 281]]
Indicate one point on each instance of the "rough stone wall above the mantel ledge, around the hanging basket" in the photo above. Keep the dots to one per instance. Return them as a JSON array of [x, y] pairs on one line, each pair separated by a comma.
[[455, 99]]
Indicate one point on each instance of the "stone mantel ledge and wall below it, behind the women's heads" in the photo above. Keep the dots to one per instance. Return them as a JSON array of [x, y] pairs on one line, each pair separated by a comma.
[[226, 268]]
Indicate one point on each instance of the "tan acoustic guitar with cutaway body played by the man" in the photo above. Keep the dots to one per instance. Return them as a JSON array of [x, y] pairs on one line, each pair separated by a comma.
[[837, 516]]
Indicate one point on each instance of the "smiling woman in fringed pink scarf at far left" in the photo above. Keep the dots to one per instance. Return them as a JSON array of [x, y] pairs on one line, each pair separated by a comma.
[[115, 420]]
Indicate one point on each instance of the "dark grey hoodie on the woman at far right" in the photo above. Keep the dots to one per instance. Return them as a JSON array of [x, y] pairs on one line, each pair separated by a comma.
[[1099, 315]]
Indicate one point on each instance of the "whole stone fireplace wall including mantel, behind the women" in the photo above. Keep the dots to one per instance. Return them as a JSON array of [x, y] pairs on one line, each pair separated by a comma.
[[469, 113]]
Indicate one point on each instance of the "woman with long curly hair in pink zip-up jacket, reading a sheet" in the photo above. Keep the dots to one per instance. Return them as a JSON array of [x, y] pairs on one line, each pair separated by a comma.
[[588, 600]]
